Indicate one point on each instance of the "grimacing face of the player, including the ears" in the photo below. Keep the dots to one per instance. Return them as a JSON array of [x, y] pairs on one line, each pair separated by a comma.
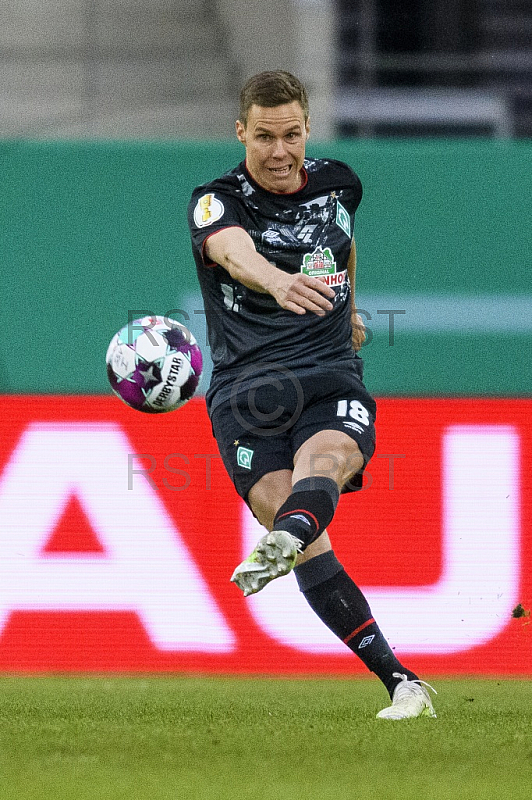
[[275, 140]]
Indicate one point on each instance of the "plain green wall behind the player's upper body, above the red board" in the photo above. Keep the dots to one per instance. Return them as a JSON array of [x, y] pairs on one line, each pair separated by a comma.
[[90, 231]]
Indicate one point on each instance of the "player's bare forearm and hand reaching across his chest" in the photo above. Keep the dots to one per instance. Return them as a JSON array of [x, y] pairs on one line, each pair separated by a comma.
[[235, 250]]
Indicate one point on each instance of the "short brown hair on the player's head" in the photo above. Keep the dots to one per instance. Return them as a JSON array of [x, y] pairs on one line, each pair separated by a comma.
[[270, 89]]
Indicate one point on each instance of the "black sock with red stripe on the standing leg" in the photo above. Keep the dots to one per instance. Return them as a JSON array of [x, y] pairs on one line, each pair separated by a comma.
[[340, 604]]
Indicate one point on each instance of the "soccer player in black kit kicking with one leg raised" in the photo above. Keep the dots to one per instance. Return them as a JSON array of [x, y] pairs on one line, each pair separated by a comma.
[[275, 254]]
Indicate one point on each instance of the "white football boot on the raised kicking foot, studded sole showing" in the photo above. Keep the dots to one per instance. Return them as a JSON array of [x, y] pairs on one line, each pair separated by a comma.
[[275, 555]]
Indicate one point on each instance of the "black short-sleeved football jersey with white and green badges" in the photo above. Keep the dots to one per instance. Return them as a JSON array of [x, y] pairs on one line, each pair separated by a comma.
[[310, 230]]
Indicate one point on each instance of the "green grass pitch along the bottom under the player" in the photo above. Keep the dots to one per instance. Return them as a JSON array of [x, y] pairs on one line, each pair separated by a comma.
[[215, 738]]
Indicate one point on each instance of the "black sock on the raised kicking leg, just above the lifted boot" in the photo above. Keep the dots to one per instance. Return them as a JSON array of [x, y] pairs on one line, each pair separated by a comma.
[[309, 509]]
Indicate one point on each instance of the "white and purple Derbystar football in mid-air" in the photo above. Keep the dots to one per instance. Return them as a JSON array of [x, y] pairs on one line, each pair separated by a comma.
[[154, 364]]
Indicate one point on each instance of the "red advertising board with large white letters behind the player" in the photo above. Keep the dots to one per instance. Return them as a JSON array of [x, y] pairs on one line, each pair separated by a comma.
[[119, 532]]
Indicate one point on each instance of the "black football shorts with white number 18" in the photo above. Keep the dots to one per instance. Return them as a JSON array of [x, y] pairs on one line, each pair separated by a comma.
[[259, 430]]
